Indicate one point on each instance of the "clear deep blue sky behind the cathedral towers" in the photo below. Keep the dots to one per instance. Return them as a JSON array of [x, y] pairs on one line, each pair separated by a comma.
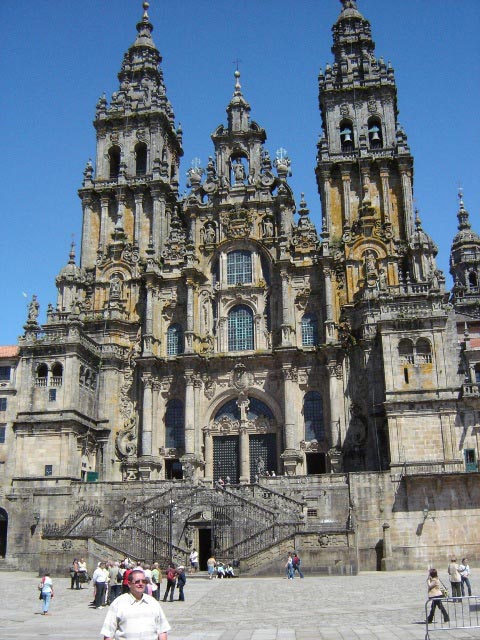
[[58, 57]]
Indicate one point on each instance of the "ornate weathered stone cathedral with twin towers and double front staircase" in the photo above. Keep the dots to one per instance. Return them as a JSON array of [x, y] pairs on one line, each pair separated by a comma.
[[219, 374]]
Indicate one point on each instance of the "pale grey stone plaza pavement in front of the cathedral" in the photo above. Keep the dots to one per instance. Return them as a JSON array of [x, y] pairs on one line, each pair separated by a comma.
[[370, 606]]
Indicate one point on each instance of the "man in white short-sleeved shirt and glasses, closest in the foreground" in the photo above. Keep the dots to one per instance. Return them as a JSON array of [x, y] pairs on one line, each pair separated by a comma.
[[135, 615]]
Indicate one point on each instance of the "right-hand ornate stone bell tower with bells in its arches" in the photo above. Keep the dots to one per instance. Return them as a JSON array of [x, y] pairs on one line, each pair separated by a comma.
[[364, 170]]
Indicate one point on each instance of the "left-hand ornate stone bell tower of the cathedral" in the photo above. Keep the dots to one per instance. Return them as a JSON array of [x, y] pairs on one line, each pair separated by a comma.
[[128, 198]]
